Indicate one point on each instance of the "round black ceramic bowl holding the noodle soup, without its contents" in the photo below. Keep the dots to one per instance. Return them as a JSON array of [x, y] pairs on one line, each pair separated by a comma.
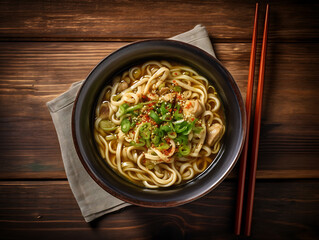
[[139, 52]]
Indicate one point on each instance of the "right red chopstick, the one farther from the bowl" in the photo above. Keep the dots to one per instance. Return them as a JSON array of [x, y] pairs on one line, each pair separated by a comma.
[[257, 119]]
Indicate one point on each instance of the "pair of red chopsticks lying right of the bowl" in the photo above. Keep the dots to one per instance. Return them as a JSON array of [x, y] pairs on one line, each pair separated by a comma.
[[256, 131]]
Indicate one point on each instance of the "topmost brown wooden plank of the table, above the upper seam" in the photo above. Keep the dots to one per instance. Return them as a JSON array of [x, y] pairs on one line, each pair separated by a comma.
[[122, 20]]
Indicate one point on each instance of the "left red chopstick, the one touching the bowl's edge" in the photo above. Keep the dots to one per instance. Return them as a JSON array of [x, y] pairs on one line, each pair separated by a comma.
[[243, 159]]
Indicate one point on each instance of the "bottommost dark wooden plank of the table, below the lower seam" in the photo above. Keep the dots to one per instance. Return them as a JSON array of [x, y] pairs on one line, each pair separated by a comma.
[[47, 210]]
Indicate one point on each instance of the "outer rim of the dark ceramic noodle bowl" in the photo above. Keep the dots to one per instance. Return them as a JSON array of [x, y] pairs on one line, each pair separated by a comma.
[[242, 110]]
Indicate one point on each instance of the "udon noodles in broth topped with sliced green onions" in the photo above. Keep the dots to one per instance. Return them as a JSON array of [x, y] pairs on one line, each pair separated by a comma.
[[159, 124]]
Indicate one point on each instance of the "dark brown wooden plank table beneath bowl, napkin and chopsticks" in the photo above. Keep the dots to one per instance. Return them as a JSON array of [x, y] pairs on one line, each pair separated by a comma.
[[47, 45]]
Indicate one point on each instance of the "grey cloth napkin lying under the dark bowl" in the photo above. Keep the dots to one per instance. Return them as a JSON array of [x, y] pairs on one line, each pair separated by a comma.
[[91, 198]]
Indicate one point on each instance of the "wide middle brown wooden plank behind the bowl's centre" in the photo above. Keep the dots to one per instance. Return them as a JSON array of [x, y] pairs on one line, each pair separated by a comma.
[[34, 73]]
